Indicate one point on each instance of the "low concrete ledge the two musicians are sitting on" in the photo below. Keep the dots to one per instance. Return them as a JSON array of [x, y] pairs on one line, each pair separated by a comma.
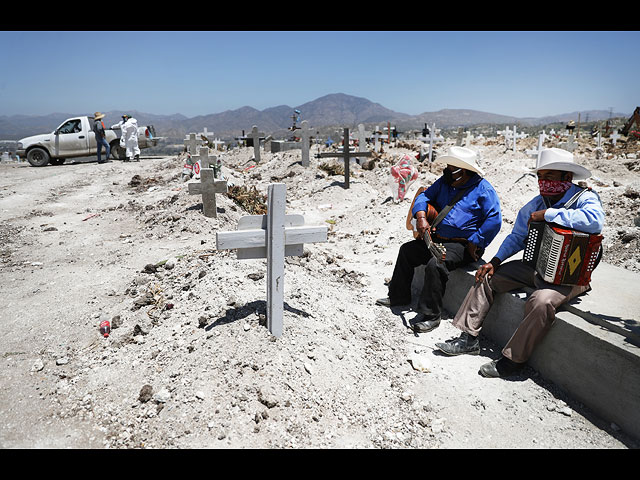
[[593, 349]]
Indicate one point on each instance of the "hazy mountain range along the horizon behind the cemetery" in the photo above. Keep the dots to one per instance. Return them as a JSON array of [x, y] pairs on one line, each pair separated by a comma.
[[333, 110]]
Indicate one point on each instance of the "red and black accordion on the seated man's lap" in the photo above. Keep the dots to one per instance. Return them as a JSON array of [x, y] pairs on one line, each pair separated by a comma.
[[562, 256]]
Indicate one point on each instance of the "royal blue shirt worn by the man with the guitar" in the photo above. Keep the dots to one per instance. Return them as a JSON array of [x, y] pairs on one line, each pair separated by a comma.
[[476, 216]]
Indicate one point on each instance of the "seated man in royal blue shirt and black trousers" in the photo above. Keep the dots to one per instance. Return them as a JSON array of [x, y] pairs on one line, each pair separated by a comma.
[[466, 230]]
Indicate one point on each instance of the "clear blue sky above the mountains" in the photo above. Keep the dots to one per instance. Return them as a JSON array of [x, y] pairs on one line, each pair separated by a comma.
[[523, 74]]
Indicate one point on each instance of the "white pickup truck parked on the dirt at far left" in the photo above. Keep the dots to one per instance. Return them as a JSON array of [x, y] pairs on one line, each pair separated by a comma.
[[75, 138]]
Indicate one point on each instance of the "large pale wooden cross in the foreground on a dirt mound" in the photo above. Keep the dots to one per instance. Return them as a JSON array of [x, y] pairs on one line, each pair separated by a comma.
[[274, 236]]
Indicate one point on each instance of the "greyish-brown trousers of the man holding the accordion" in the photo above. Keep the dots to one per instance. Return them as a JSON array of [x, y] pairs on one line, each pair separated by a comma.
[[539, 311]]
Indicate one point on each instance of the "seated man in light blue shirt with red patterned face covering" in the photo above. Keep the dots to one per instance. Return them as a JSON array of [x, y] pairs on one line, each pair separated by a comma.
[[555, 170]]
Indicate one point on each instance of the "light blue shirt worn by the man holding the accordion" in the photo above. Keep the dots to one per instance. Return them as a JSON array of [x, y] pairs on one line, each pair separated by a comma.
[[585, 215]]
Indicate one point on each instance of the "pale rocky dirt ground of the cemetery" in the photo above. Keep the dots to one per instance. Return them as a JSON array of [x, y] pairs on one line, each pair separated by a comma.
[[189, 362]]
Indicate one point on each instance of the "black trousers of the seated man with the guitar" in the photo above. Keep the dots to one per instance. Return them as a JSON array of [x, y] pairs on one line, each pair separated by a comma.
[[436, 274]]
